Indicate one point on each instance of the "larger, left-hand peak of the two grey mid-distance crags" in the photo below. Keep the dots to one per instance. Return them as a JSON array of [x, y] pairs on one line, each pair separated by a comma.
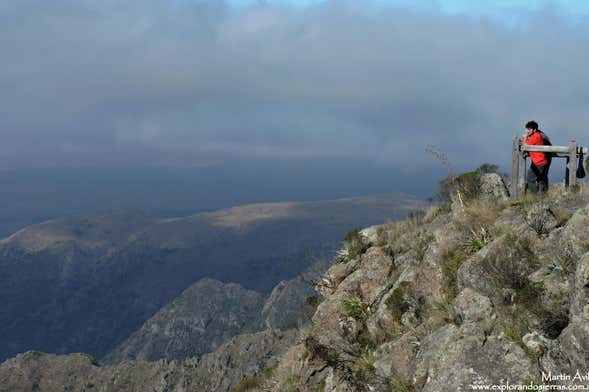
[[197, 322]]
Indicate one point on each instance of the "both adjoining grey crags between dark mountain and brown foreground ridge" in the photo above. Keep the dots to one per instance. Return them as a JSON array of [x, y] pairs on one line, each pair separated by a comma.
[[210, 312]]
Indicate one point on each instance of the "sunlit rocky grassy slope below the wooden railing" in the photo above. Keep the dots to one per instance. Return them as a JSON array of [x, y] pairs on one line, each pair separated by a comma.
[[489, 292]]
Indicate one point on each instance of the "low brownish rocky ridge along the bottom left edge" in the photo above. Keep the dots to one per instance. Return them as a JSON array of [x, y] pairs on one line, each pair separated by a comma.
[[233, 362]]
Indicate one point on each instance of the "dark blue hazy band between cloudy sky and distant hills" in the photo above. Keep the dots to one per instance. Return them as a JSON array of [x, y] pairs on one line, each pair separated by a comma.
[[32, 196]]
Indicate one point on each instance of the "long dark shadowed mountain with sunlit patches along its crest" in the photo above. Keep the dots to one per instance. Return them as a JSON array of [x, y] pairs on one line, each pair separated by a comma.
[[86, 283]]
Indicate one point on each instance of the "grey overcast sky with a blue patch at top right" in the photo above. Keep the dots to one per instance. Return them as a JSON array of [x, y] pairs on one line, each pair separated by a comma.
[[189, 82]]
